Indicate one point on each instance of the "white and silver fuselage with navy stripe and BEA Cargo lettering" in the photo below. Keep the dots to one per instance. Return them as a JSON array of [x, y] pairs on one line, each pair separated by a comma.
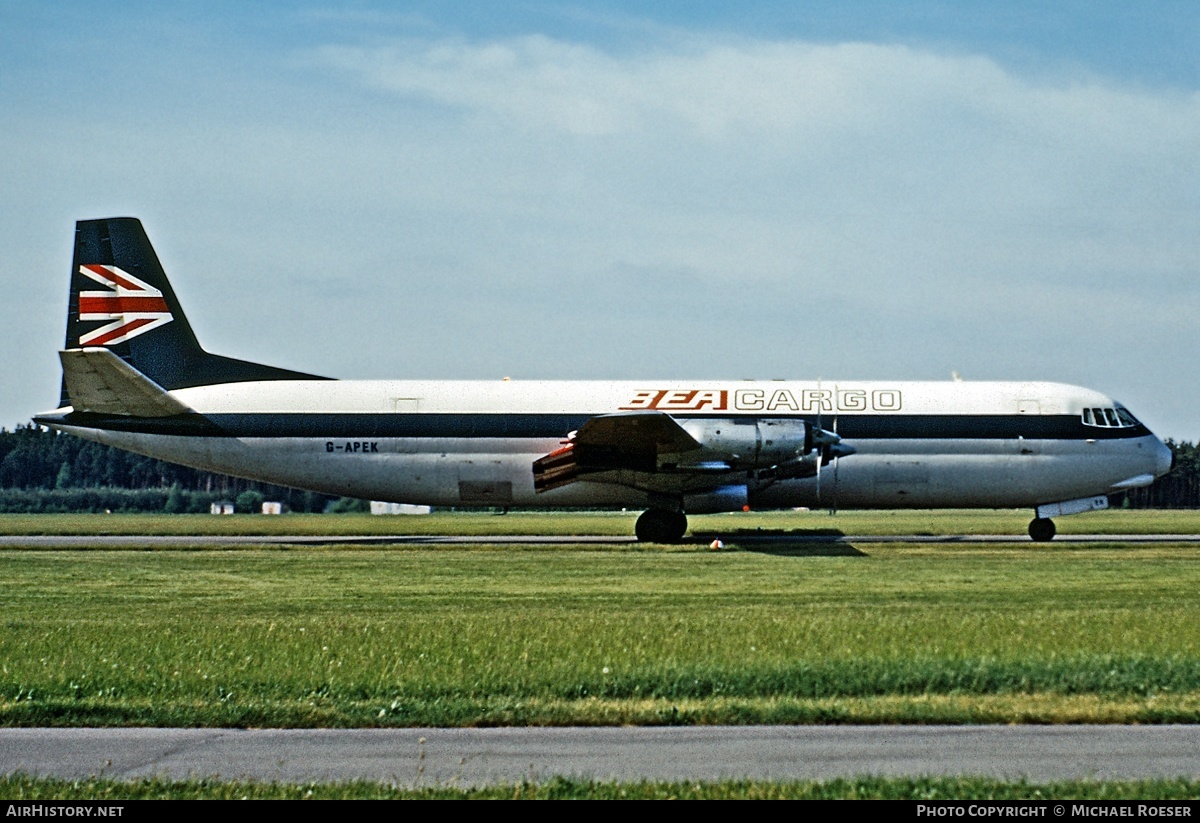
[[473, 443]]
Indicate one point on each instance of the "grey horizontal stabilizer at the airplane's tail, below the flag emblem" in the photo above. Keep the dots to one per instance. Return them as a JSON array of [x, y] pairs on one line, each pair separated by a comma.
[[100, 382]]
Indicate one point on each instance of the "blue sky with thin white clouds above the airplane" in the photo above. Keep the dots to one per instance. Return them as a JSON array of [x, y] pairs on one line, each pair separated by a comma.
[[620, 190]]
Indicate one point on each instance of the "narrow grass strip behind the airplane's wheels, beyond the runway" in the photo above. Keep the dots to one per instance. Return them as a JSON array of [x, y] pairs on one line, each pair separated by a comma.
[[1005, 521]]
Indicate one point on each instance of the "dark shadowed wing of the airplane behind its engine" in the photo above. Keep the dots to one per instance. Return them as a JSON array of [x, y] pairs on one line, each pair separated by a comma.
[[615, 448]]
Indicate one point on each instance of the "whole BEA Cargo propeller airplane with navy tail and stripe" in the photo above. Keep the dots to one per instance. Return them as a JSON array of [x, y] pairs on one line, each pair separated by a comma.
[[136, 377]]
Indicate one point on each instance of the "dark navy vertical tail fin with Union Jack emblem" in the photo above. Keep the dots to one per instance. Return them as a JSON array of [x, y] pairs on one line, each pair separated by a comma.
[[122, 302]]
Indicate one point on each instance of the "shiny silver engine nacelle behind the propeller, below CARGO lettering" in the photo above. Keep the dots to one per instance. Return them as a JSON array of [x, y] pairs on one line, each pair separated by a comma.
[[749, 443]]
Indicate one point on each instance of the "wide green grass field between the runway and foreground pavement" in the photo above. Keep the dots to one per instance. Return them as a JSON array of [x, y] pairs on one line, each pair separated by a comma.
[[568, 635]]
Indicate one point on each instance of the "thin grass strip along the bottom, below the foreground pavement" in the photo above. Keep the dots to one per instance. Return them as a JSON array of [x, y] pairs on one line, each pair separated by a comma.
[[21, 788]]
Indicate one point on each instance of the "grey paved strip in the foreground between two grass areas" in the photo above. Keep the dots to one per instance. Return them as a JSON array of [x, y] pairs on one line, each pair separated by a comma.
[[484, 756]]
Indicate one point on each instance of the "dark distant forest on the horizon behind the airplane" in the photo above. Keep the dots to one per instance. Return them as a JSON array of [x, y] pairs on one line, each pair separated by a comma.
[[45, 471]]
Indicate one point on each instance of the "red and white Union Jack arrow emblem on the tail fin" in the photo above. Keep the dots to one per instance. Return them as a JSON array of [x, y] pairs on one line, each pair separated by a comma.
[[133, 307]]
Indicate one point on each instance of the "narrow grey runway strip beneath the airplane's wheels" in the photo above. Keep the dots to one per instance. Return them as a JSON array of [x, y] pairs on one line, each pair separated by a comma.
[[752, 539]]
